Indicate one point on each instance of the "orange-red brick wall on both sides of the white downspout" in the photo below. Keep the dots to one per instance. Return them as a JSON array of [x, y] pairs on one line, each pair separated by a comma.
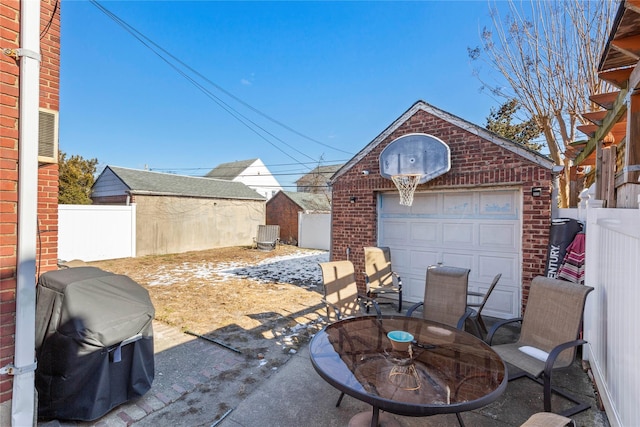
[[47, 241]]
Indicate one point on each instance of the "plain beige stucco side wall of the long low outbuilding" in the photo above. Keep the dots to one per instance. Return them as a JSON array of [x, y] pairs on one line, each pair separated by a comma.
[[166, 224]]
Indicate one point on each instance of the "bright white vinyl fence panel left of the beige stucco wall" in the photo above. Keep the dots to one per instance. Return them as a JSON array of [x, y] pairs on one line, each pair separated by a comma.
[[96, 232]]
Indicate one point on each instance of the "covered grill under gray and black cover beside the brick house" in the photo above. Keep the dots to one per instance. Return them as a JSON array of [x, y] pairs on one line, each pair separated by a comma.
[[94, 342]]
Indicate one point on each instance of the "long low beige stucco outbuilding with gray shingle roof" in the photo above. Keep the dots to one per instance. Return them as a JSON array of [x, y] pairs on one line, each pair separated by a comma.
[[176, 213]]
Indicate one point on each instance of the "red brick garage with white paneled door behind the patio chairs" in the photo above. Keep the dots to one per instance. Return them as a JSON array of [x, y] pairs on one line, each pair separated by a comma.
[[491, 212]]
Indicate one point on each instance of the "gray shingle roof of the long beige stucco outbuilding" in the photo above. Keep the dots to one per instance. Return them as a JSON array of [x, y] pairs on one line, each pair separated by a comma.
[[156, 183]]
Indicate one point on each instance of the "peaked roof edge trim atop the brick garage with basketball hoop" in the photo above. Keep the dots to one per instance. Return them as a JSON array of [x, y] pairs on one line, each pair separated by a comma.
[[483, 133]]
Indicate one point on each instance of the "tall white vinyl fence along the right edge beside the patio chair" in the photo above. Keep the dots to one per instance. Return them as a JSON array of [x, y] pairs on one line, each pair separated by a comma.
[[612, 268]]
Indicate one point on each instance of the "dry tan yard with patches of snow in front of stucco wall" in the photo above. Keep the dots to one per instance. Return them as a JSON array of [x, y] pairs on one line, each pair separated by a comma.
[[254, 301]]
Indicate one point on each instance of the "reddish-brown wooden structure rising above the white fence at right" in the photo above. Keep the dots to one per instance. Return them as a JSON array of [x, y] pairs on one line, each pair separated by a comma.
[[612, 152]]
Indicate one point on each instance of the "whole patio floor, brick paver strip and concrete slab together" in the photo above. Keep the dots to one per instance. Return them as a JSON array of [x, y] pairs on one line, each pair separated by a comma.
[[295, 395]]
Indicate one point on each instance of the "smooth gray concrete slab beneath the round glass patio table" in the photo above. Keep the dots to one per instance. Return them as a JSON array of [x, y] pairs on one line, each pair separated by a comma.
[[298, 396]]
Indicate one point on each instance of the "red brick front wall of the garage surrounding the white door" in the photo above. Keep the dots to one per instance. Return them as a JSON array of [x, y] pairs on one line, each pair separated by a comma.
[[475, 163]]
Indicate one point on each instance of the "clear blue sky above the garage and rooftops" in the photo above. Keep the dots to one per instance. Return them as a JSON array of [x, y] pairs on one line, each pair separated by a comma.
[[337, 73]]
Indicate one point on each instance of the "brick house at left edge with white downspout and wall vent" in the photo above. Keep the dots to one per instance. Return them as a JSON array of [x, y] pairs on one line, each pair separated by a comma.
[[29, 187]]
